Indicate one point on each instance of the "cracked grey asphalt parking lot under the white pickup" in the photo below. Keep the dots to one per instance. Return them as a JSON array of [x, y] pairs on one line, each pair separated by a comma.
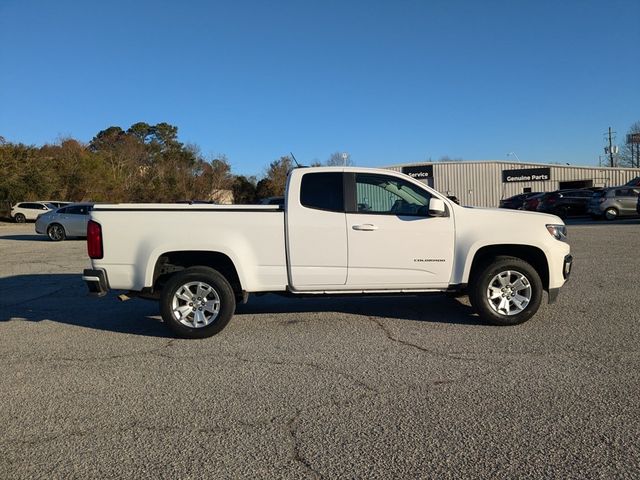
[[302, 388]]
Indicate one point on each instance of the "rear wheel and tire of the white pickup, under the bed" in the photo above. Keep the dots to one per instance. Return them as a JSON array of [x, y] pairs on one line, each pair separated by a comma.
[[179, 297]]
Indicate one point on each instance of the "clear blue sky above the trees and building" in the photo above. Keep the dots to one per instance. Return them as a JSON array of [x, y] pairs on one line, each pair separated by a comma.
[[389, 82]]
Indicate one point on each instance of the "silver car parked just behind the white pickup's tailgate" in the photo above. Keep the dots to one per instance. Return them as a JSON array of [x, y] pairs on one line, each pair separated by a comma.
[[69, 221]]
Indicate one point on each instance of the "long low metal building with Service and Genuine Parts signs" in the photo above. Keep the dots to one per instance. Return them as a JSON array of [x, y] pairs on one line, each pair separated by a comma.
[[485, 183]]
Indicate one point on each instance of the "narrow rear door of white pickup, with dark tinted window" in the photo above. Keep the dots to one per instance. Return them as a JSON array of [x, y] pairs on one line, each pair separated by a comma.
[[316, 231]]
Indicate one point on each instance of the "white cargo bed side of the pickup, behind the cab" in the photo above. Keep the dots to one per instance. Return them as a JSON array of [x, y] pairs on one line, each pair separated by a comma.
[[252, 236]]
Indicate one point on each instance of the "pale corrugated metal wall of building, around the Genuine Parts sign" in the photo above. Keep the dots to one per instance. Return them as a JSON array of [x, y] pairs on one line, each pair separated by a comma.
[[480, 183]]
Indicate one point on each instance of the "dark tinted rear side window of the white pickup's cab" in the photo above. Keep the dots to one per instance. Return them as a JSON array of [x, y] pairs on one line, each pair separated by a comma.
[[323, 191]]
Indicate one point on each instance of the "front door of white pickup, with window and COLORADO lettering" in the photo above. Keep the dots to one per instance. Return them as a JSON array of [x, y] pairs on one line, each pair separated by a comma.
[[393, 242]]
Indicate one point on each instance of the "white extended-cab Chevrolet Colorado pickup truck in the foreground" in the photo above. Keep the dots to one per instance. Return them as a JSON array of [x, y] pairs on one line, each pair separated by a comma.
[[342, 230]]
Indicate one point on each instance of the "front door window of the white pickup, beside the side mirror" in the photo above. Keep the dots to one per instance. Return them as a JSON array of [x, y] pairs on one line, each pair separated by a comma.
[[384, 194]]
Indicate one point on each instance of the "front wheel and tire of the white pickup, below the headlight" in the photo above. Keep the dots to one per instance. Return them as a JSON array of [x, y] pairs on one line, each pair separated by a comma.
[[504, 273]]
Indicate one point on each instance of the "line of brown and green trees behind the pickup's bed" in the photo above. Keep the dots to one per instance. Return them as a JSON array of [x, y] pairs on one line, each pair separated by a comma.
[[145, 163]]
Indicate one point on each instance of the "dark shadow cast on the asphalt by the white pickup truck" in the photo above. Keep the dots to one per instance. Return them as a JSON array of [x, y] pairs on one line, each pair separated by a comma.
[[62, 298]]
